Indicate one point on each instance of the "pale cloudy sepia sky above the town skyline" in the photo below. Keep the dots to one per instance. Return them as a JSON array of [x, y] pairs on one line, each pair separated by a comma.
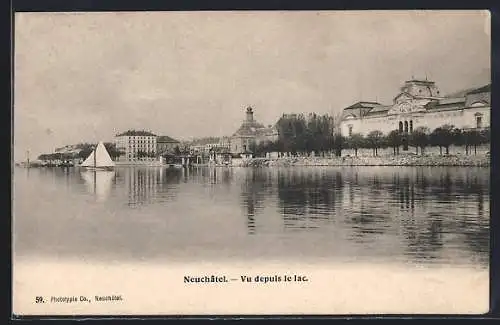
[[84, 77]]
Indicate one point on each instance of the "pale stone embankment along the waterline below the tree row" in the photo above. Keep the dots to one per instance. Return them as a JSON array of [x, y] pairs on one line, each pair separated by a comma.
[[402, 160]]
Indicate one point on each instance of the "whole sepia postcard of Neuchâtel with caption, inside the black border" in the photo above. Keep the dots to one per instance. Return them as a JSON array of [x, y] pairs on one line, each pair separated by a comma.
[[251, 163]]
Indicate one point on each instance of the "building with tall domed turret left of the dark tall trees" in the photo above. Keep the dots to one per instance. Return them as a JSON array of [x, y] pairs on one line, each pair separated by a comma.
[[251, 133]]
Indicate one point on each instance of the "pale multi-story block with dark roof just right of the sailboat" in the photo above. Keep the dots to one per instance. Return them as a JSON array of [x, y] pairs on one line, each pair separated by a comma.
[[136, 145]]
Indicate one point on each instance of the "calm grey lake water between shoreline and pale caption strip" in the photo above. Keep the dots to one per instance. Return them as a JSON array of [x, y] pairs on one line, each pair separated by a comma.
[[425, 216]]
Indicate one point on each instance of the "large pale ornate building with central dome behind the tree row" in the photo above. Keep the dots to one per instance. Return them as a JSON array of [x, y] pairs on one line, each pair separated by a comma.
[[419, 103]]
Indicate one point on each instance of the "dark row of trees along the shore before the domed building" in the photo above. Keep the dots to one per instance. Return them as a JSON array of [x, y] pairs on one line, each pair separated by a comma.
[[308, 137]]
